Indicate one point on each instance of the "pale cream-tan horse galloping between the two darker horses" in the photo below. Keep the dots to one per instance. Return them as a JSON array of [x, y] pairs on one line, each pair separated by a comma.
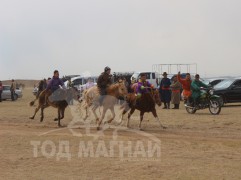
[[91, 97]]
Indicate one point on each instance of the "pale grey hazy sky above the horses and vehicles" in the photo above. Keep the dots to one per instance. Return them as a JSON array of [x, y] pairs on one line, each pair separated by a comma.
[[76, 36]]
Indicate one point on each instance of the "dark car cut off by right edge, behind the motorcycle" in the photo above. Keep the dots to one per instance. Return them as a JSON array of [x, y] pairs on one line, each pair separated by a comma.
[[229, 90]]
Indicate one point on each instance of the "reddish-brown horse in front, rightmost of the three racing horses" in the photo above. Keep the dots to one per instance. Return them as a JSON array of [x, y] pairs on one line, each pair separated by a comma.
[[145, 104]]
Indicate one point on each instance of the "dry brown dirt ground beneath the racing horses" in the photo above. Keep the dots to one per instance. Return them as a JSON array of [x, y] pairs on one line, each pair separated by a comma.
[[199, 146]]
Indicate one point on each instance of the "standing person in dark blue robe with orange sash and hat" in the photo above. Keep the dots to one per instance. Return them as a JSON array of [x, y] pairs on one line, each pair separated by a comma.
[[165, 91]]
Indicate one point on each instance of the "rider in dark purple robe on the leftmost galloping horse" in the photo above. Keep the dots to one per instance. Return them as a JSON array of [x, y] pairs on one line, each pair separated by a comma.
[[53, 85]]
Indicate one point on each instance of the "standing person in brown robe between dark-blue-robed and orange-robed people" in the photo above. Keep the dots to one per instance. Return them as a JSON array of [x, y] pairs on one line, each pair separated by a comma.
[[176, 92]]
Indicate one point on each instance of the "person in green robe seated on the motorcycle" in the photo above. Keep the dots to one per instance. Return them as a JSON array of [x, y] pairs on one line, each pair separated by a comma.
[[196, 89]]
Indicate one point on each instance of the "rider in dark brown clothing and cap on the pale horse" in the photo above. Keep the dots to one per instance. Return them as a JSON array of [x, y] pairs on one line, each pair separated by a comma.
[[104, 80]]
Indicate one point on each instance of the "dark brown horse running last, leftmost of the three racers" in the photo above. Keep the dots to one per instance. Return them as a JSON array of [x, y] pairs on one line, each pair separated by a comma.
[[60, 101]]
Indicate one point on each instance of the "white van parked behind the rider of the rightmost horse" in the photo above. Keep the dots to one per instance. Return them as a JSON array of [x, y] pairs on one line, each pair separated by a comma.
[[152, 77]]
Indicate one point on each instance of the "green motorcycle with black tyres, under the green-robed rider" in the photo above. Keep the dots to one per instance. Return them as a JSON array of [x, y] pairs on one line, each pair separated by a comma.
[[206, 100]]
